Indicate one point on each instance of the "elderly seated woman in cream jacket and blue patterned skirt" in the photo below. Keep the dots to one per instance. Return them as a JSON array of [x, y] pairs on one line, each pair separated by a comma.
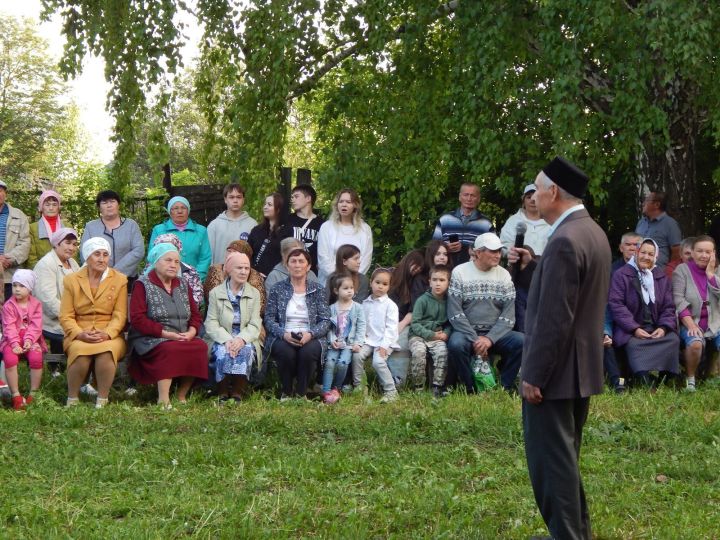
[[233, 324]]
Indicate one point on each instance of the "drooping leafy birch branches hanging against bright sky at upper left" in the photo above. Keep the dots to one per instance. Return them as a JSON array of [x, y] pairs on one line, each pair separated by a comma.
[[140, 43]]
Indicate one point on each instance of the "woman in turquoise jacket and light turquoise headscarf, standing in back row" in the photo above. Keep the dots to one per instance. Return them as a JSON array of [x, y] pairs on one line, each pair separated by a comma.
[[196, 244]]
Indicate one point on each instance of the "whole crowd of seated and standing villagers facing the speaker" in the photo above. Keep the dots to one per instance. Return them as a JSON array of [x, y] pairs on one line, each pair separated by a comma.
[[238, 301]]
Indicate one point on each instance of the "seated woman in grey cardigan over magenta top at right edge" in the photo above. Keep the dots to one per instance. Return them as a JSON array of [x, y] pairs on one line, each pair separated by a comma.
[[696, 292]]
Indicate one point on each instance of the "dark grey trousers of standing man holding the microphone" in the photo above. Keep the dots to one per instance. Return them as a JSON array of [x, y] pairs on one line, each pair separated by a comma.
[[553, 434]]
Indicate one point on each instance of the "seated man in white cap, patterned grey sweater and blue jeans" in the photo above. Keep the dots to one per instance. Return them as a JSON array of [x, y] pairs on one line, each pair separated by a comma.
[[481, 309]]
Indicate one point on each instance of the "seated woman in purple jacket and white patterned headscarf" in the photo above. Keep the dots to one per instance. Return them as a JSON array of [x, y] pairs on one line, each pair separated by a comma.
[[643, 312]]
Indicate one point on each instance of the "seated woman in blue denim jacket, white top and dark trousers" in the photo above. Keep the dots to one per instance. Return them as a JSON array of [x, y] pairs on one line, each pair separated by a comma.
[[296, 318]]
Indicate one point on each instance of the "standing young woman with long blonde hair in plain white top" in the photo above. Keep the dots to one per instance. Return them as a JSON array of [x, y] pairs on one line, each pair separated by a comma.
[[345, 226]]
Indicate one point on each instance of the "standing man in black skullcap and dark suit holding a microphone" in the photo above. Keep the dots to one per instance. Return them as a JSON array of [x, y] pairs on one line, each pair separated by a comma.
[[562, 355]]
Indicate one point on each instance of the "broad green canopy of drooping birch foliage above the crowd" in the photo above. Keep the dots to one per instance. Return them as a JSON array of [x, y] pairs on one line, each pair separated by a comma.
[[407, 98]]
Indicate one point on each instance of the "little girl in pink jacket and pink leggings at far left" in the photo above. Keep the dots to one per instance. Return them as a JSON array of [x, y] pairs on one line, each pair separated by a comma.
[[22, 335]]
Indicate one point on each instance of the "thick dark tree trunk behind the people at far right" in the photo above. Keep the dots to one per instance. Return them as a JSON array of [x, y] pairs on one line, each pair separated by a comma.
[[673, 170]]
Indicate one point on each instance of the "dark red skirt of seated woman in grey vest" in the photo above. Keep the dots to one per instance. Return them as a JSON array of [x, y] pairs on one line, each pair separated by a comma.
[[170, 359]]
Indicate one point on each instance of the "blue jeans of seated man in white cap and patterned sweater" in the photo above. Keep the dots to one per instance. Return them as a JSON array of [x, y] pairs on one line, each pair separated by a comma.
[[460, 354]]
